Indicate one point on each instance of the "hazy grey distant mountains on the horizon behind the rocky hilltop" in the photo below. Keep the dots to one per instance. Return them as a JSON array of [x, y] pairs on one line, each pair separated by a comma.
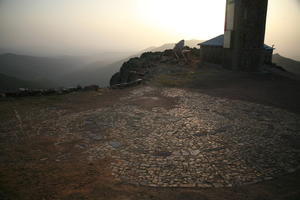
[[41, 72]]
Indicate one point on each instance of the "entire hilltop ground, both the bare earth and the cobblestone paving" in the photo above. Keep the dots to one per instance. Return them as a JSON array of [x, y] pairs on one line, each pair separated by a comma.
[[113, 144]]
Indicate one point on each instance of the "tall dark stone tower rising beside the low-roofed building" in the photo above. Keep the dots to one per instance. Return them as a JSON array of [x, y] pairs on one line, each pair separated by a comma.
[[244, 35]]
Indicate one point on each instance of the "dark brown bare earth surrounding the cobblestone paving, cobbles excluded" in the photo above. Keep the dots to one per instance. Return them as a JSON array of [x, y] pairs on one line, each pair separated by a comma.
[[33, 166]]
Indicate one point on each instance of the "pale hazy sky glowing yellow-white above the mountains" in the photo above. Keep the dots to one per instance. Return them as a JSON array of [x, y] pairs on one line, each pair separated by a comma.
[[86, 26]]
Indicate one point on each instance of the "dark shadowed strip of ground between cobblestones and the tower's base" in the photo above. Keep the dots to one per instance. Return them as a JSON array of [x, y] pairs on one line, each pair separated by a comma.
[[267, 89]]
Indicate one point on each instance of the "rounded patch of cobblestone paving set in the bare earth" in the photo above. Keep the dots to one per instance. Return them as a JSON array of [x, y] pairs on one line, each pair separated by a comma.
[[178, 138]]
